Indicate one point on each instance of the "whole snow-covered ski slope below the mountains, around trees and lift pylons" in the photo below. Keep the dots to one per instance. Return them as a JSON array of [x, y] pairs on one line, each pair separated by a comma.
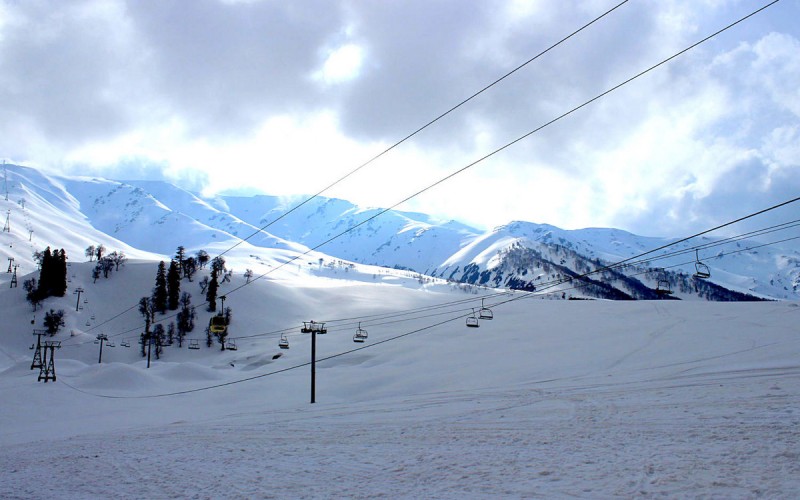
[[587, 399]]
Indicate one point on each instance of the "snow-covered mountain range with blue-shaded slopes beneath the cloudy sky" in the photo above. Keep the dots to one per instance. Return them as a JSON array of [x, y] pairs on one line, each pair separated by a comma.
[[150, 219]]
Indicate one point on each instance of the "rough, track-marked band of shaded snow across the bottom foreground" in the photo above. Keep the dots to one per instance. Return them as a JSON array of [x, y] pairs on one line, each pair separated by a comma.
[[684, 437]]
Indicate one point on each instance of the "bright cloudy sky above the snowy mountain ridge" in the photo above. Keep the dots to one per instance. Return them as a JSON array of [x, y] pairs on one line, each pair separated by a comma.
[[284, 98]]
